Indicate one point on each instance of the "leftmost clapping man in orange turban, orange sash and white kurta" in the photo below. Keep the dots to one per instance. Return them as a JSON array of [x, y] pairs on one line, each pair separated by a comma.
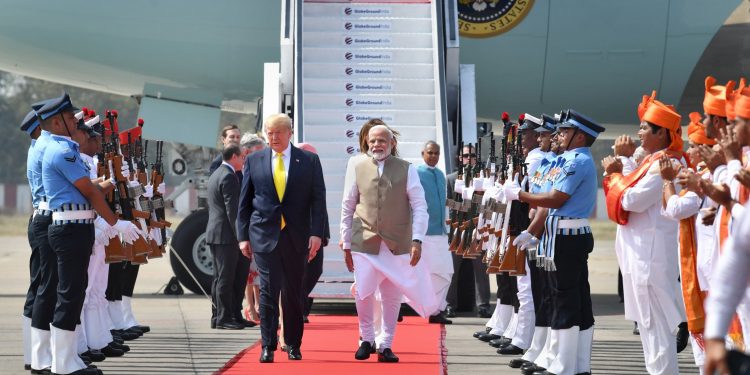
[[646, 244]]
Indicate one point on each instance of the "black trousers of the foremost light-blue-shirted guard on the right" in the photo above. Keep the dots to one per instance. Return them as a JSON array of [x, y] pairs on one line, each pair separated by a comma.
[[571, 293]]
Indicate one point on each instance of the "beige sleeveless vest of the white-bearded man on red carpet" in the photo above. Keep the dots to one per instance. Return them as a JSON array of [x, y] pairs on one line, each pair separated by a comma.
[[383, 212]]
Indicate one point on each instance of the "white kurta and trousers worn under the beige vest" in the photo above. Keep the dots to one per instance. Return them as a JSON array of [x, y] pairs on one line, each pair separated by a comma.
[[391, 274]]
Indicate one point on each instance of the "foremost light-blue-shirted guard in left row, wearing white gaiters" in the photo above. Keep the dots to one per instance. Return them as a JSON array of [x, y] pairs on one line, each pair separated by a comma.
[[72, 198]]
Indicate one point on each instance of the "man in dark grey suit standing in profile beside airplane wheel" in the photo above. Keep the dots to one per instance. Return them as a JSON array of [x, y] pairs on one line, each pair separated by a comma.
[[230, 266]]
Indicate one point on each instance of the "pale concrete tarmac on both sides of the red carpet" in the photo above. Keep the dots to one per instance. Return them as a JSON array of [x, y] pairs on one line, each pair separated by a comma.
[[181, 341]]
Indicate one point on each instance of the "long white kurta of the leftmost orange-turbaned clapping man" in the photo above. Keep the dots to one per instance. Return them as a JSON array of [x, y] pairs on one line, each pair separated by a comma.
[[647, 250]]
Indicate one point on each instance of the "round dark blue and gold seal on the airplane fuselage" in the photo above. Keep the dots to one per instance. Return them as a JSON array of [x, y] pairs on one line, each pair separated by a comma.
[[486, 18]]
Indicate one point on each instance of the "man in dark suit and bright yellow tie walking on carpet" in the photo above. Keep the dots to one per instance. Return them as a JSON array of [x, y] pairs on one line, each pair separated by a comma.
[[281, 223]]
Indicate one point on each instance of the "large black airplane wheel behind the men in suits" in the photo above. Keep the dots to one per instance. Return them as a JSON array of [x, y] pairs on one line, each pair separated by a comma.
[[189, 241]]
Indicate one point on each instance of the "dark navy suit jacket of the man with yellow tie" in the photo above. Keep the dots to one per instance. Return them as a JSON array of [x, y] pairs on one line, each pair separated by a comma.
[[303, 206]]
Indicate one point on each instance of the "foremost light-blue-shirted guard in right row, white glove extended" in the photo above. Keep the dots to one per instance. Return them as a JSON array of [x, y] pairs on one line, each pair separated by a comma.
[[569, 241]]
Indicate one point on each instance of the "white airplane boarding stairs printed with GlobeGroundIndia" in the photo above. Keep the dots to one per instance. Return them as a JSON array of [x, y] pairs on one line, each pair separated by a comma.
[[356, 61]]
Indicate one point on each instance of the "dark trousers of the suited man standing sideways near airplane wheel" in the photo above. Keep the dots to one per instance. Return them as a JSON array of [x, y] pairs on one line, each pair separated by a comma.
[[230, 278]]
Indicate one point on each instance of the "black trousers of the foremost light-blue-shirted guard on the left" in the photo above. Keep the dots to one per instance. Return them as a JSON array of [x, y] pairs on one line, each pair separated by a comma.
[[72, 244]]
